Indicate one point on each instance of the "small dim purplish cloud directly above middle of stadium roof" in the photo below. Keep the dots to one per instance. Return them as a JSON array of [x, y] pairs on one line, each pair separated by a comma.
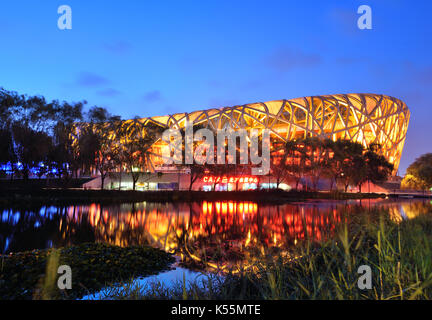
[[286, 59]]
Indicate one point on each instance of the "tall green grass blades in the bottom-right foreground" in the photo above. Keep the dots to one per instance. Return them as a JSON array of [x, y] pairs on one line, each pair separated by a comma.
[[399, 255]]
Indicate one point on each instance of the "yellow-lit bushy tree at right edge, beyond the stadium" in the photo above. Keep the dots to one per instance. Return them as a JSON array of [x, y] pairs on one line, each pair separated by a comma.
[[419, 174]]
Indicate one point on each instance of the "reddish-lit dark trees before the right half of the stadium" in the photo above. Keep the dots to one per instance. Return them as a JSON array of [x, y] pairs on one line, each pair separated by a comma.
[[342, 162]]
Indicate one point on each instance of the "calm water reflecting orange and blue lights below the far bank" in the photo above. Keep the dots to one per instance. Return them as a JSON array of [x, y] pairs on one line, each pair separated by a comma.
[[210, 234]]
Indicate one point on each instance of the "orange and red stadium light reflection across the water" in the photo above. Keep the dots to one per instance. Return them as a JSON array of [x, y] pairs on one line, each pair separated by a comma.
[[233, 230]]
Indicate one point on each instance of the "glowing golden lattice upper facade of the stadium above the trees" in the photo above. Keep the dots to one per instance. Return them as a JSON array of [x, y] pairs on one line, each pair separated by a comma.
[[364, 118]]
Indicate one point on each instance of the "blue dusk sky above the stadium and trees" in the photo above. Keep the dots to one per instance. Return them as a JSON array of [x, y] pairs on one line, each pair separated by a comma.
[[147, 58]]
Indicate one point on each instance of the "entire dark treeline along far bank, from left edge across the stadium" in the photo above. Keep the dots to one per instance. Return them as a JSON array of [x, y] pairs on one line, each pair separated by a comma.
[[60, 139]]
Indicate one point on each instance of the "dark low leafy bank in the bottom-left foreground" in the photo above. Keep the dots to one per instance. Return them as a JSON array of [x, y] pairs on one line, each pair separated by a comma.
[[33, 274]]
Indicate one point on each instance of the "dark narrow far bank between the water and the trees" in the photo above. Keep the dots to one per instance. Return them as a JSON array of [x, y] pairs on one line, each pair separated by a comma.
[[66, 196]]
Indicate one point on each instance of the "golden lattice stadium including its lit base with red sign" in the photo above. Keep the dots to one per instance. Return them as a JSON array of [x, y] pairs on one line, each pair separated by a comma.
[[364, 118]]
